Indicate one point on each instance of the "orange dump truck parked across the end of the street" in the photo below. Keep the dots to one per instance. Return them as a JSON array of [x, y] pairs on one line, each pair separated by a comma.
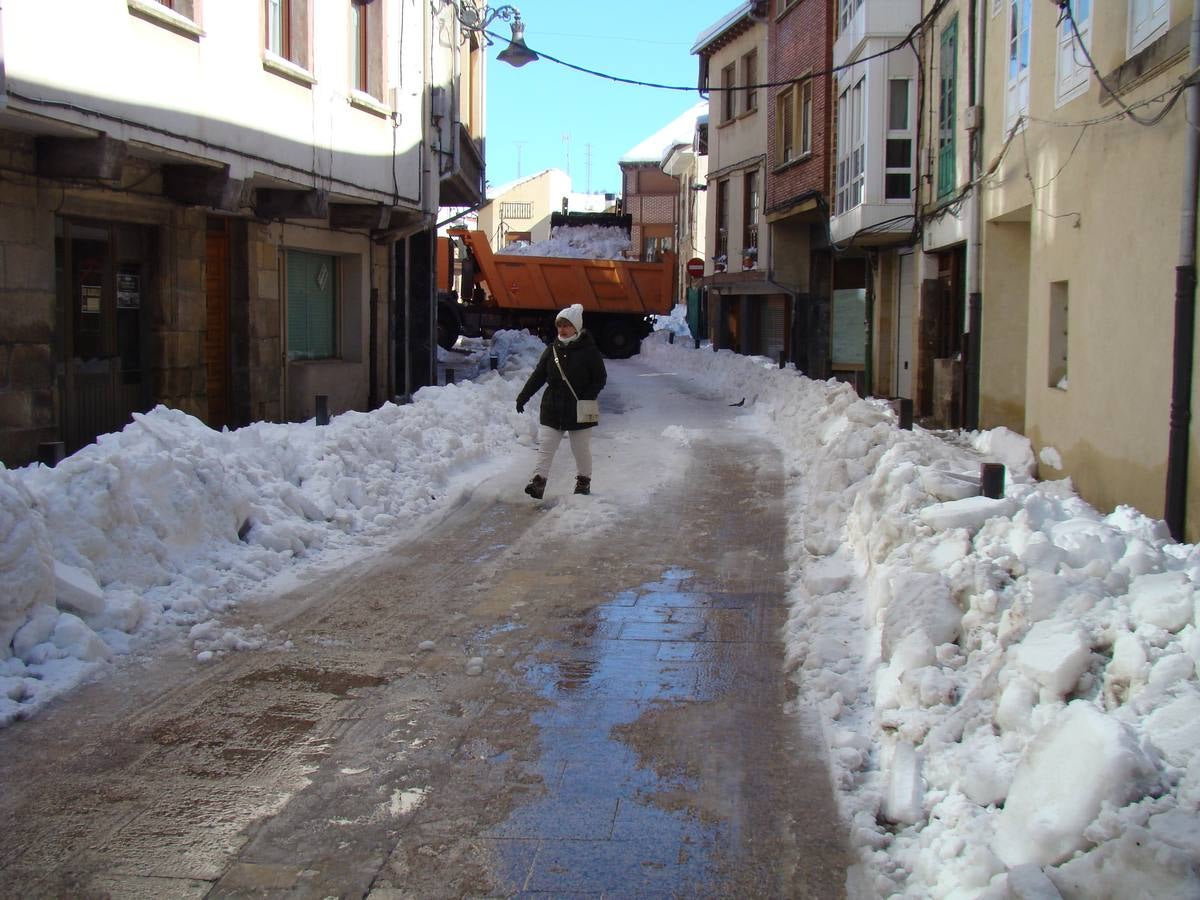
[[511, 291]]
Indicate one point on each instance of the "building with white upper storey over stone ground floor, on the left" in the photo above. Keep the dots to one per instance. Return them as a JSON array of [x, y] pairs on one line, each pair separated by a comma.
[[223, 207]]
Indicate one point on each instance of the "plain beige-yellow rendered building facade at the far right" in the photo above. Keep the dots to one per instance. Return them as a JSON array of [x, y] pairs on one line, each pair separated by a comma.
[[1082, 235]]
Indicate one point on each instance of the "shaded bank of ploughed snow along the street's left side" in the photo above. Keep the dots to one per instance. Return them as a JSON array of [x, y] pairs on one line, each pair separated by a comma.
[[163, 526]]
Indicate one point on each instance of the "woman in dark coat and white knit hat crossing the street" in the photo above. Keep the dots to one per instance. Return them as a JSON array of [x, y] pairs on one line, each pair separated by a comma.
[[573, 370]]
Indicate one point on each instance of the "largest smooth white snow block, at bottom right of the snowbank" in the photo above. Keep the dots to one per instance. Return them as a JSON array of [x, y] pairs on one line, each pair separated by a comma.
[[1078, 763]]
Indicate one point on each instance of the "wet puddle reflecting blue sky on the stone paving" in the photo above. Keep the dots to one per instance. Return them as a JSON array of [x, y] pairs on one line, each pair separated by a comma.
[[623, 809]]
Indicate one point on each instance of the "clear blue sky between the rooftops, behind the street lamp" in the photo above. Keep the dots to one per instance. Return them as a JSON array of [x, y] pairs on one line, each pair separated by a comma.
[[532, 109]]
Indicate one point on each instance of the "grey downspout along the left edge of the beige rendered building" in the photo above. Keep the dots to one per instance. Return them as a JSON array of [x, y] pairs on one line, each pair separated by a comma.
[[977, 26]]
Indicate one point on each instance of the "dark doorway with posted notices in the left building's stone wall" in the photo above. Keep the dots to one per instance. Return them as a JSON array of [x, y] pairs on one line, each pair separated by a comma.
[[104, 274]]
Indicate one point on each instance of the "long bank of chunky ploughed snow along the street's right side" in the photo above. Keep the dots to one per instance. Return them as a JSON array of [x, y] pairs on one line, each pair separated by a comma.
[[1010, 687]]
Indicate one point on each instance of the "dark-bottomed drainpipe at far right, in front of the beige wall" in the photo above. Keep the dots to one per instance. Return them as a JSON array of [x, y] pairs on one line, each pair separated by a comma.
[[1185, 309]]
